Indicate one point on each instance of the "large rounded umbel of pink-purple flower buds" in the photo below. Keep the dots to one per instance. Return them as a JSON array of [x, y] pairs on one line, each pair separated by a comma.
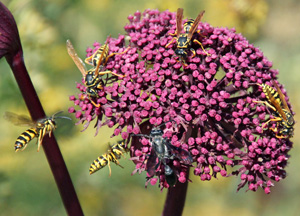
[[211, 98]]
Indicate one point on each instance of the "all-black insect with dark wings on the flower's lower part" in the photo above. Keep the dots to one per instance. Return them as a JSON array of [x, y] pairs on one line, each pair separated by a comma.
[[162, 151]]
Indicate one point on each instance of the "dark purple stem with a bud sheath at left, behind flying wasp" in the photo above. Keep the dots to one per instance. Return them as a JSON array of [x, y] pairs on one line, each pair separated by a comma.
[[10, 47]]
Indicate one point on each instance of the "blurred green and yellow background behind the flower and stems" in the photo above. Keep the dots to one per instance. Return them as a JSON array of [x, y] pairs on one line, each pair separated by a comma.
[[27, 186]]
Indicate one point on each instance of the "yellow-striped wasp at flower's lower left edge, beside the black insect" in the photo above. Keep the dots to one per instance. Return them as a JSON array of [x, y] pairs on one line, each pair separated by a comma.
[[112, 155]]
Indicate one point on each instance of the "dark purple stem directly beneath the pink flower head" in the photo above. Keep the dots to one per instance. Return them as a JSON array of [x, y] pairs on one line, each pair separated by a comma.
[[175, 199]]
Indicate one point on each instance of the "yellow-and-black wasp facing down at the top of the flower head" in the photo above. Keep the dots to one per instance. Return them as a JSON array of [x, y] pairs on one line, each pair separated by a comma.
[[184, 41]]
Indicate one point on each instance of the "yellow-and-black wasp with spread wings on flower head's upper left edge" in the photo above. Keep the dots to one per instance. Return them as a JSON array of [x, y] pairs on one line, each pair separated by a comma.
[[93, 77]]
